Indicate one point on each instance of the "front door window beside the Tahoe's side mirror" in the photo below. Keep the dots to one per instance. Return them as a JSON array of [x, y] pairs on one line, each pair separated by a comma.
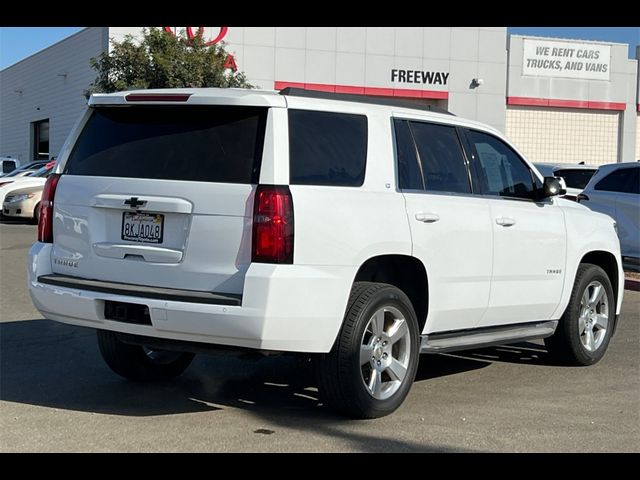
[[502, 172]]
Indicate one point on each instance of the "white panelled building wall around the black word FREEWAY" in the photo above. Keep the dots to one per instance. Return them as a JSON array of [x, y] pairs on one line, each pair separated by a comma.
[[365, 56]]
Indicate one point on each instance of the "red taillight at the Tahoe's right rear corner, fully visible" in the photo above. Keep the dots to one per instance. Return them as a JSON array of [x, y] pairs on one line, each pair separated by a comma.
[[272, 225]]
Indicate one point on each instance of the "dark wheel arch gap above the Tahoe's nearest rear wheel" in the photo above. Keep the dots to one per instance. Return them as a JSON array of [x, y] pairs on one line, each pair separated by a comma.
[[404, 272]]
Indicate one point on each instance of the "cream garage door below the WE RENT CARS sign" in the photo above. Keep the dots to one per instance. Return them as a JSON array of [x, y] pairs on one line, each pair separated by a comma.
[[564, 135]]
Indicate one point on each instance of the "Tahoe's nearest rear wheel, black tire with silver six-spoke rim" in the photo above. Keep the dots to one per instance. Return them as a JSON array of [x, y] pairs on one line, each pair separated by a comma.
[[373, 363]]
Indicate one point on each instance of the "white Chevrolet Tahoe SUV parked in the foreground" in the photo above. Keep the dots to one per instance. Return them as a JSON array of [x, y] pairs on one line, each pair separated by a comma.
[[358, 230]]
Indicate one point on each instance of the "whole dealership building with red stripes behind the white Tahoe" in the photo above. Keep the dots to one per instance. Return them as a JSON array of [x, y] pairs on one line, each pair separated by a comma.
[[558, 100]]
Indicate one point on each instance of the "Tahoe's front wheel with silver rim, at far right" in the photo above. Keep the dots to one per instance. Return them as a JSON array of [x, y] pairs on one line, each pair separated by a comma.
[[585, 329]]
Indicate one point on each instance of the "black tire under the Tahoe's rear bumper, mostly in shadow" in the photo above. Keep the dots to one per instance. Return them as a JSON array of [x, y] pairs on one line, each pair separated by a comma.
[[138, 363]]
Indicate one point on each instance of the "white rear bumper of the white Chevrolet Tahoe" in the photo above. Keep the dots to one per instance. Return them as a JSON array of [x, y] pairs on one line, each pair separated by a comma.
[[293, 308]]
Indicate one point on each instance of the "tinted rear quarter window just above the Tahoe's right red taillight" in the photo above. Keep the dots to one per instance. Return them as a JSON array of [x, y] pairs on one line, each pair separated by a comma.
[[327, 148]]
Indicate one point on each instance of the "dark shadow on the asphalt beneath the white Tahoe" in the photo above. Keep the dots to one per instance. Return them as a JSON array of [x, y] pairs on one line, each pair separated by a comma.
[[49, 364]]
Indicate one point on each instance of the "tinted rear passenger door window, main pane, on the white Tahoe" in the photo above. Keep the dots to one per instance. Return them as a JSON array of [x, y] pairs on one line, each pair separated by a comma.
[[441, 156]]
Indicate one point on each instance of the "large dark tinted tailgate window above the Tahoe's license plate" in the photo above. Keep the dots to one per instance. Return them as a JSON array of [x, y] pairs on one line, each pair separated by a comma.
[[207, 144]]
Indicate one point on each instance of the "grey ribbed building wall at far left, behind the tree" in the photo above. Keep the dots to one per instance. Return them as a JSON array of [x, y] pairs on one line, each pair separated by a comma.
[[34, 89]]
